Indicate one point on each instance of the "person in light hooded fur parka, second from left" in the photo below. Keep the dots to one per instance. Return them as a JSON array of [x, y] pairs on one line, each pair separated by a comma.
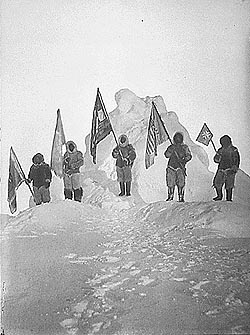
[[72, 161]]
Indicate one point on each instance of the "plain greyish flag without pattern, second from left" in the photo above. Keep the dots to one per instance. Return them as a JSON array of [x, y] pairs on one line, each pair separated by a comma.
[[59, 140]]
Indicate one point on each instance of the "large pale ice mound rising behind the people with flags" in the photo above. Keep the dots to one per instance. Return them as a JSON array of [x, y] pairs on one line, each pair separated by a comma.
[[131, 117]]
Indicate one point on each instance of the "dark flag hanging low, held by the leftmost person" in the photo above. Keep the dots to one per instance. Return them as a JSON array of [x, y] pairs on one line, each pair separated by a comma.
[[16, 177]]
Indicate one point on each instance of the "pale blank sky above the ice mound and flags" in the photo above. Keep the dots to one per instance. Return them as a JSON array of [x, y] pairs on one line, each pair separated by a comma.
[[194, 53]]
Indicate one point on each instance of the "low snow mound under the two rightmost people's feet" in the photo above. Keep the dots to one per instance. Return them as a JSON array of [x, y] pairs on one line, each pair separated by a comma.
[[230, 220]]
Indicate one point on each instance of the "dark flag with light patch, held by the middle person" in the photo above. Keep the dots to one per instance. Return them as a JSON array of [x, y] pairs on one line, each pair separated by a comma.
[[101, 126]]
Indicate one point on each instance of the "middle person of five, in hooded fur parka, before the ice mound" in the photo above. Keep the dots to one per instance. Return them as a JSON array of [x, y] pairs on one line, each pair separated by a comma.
[[125, 155]]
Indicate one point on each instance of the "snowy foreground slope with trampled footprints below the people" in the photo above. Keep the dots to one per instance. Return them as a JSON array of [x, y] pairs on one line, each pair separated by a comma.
[[129, 272]]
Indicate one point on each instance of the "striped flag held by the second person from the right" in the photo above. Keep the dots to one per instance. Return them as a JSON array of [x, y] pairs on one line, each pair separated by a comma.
[[157, 134]]
